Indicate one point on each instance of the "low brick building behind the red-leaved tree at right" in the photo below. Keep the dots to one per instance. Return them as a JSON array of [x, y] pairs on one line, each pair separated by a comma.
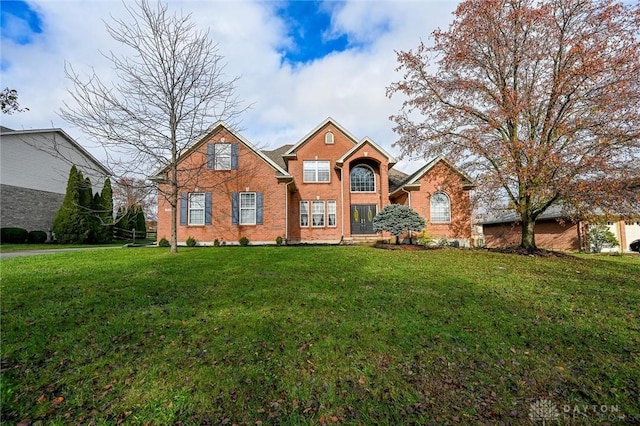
[[555, 231]]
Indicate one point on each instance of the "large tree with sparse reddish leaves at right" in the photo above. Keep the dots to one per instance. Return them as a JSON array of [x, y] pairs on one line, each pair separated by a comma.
[[539, 100]]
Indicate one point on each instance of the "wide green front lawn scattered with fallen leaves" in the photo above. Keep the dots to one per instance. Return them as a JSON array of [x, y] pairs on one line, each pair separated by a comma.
[[317, 335]]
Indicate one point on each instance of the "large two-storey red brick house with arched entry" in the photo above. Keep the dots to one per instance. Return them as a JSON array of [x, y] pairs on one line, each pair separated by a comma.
[[326, 188]]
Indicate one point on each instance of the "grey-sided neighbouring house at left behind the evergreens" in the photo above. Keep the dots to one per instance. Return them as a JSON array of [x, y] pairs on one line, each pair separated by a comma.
[[34, 169]]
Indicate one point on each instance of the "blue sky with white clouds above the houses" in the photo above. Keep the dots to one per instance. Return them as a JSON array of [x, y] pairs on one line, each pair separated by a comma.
[[299, 62]]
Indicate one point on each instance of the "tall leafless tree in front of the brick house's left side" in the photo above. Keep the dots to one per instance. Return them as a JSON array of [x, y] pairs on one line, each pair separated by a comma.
[[166, 94]]
